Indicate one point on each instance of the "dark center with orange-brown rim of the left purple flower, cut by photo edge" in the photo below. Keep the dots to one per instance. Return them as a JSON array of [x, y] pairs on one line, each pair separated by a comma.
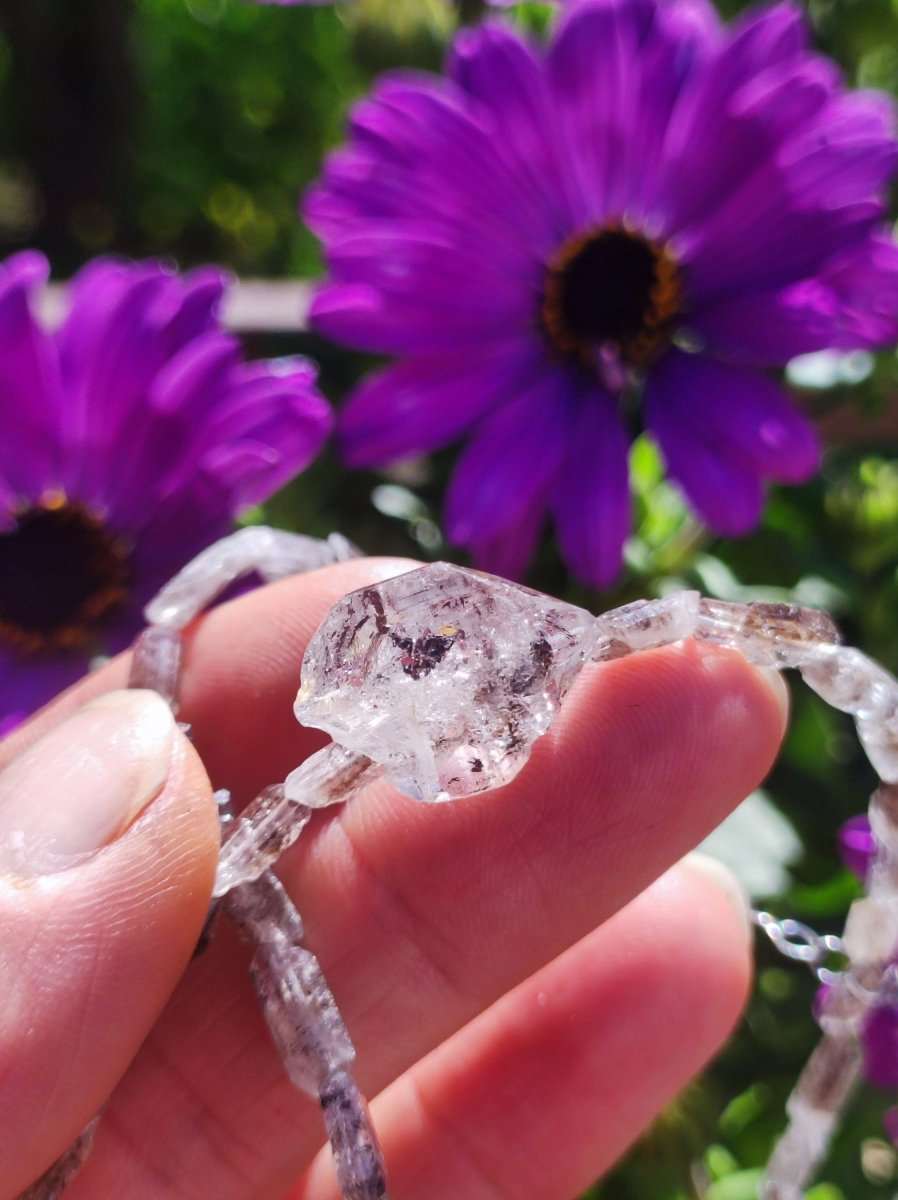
[[62, 573]]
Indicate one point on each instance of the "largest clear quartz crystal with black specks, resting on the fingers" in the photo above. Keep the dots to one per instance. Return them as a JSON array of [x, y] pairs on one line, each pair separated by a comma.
[[445, 676]]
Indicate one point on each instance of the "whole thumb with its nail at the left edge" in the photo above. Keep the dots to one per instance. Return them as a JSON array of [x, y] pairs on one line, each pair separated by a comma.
[[109, 842]]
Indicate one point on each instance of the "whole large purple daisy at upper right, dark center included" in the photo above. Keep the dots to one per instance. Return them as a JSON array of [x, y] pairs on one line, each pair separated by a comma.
[[620, 230]]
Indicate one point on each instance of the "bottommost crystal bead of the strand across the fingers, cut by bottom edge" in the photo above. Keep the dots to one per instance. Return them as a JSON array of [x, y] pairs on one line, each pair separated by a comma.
[[358, 1159]]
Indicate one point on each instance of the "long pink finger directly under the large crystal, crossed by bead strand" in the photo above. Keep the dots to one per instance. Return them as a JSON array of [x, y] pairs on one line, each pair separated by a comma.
[[424, 916]]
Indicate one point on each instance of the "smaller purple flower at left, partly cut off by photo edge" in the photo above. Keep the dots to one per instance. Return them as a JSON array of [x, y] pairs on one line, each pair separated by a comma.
[[131, 437]]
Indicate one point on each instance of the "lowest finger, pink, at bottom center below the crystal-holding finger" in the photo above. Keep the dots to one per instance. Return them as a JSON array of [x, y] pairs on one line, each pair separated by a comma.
[[543, 1093]]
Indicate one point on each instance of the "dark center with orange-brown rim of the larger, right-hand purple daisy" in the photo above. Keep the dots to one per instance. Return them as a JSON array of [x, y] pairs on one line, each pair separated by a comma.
[[612, 289]]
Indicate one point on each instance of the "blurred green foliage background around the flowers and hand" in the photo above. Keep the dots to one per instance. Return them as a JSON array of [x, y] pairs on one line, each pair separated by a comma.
[[187, 129]]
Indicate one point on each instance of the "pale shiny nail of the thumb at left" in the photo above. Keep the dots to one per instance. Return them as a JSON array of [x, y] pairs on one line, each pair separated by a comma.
[[85, 783]]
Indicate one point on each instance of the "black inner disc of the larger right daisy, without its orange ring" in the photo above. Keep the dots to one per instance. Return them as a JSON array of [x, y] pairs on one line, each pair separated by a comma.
[[607, 289]]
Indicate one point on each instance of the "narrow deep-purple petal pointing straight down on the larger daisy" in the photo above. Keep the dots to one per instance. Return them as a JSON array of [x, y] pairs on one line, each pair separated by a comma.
[[591, 502]]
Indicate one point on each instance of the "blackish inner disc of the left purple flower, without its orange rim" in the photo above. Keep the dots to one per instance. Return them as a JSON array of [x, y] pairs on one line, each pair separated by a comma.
[[52, 567]]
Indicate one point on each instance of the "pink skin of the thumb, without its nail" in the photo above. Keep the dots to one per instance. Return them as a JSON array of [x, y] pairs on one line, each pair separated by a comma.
[[93, 955]]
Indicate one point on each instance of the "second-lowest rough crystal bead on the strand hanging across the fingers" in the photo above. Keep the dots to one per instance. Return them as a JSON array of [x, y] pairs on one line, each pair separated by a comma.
[[302, 1015]]
